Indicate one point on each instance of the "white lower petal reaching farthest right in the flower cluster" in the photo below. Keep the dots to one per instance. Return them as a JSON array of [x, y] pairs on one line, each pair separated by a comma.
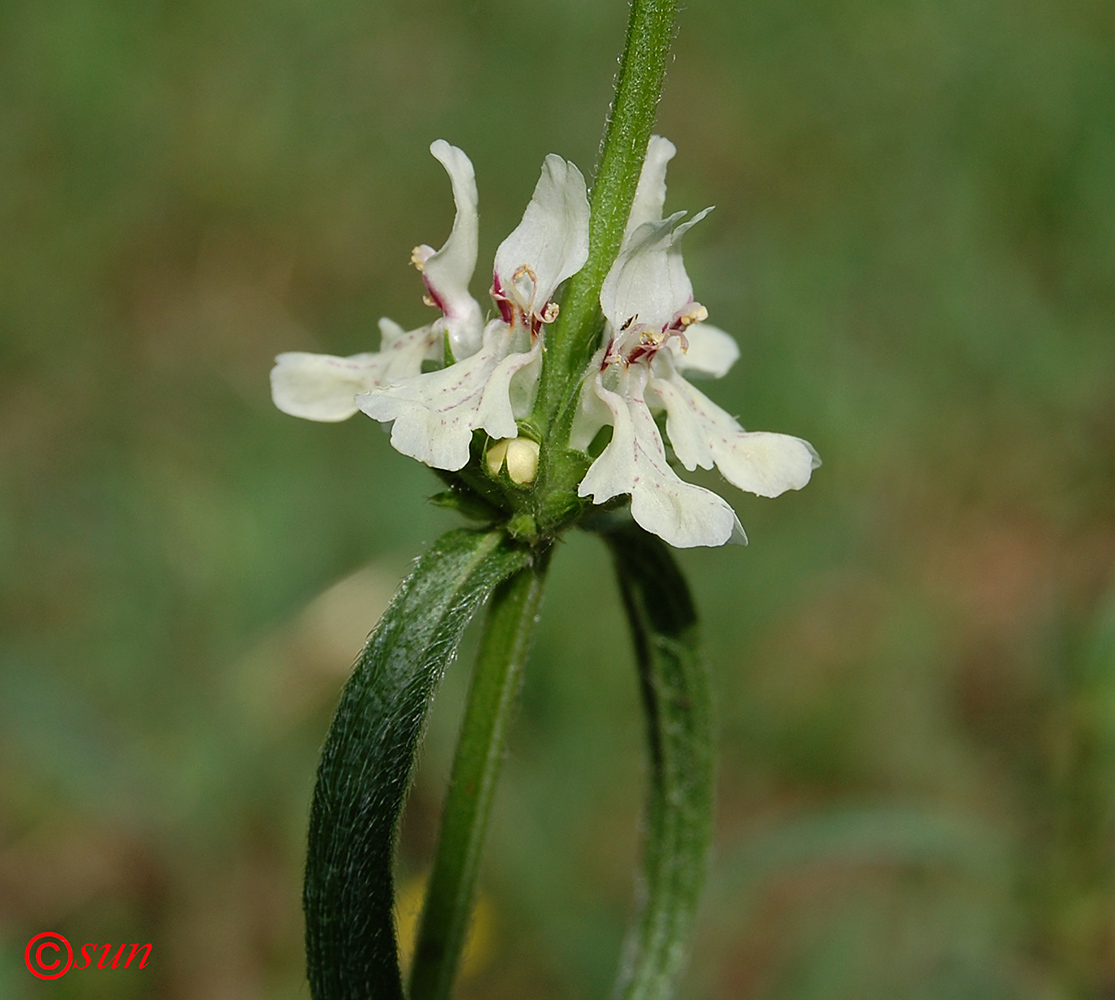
[[703, 434]]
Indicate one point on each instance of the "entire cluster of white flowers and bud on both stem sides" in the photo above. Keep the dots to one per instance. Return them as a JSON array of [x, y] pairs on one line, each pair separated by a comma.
[[655, 334]]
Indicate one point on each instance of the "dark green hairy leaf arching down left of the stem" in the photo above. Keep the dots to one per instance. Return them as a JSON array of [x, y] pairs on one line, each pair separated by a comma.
[[369, 759]]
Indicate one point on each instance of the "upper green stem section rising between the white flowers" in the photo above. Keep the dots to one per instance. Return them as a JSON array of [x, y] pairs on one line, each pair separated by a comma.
[[643, 69]]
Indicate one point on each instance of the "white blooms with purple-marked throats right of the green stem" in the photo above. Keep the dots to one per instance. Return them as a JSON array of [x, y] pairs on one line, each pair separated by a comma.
[[655, 333]]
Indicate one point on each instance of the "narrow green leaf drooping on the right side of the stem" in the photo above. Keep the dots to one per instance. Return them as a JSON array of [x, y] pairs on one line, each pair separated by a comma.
[[680, 808]]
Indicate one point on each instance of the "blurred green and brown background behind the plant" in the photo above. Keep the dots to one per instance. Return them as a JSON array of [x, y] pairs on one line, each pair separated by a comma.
[[915, 661]]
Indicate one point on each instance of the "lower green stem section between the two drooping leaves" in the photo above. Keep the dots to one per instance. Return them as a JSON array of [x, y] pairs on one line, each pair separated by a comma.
[[492, 697]]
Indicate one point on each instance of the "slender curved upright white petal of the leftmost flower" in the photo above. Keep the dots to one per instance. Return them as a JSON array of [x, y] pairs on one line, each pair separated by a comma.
[[449, 271]]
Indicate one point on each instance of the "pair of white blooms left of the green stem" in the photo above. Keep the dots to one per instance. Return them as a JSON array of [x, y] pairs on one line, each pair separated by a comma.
[[495, 368]]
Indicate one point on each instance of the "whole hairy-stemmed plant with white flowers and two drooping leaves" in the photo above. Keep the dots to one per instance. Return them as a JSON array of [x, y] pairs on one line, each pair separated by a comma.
[[547, 411]]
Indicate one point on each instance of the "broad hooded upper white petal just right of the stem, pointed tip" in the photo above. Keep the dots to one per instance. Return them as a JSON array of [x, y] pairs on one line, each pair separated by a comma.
[[648, 280]]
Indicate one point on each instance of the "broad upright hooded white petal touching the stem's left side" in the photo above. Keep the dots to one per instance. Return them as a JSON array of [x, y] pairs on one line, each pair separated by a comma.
[[554, 238]]
